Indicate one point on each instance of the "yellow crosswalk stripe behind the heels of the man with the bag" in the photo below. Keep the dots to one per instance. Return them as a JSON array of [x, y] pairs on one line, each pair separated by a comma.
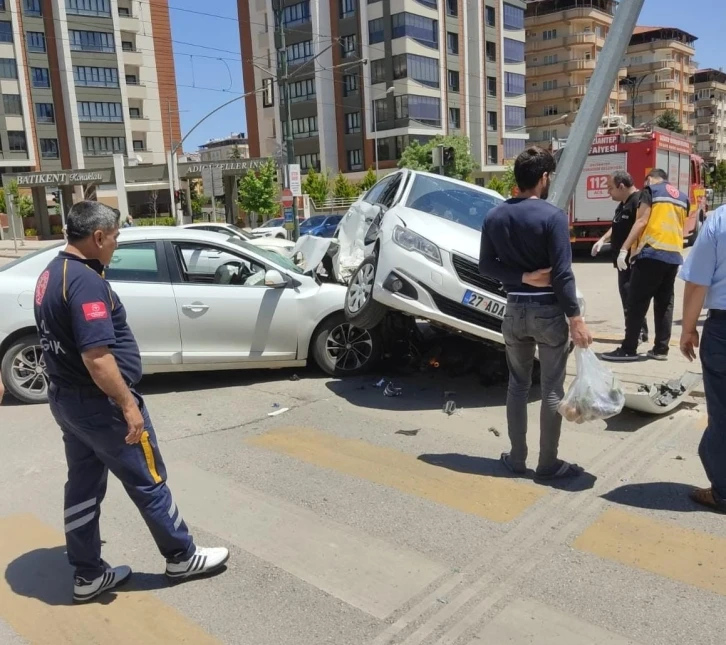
[[493, 498]]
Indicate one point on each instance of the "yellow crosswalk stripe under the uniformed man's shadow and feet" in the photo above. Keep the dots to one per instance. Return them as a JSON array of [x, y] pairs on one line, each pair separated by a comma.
[[36, 592]]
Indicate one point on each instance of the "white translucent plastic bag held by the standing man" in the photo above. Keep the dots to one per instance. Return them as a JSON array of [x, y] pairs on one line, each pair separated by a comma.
[[594, 394]]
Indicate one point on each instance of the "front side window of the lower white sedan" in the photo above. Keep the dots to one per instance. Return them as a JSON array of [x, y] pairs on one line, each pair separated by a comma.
[[208, 264]]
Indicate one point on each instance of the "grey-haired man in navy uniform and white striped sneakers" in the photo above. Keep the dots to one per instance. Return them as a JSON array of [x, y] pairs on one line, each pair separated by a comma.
[[93, 363]]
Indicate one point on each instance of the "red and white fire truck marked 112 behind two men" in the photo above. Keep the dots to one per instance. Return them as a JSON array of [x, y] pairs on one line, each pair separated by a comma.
[[638, 151]]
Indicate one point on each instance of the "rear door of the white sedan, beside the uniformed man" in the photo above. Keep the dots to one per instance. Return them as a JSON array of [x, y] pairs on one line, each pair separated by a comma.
[[139, 275]]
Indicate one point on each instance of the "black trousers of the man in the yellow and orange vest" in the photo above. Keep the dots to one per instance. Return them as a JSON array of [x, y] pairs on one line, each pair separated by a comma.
[[650, 280]]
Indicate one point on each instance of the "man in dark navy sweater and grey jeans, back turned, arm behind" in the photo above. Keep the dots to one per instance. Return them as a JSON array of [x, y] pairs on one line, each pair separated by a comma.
[[525, 244]]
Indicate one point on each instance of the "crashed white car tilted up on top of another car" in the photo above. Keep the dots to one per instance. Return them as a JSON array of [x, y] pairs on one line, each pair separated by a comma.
[[414, 238]]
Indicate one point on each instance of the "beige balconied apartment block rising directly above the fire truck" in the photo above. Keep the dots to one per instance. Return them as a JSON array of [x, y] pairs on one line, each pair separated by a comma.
[[660, 64]]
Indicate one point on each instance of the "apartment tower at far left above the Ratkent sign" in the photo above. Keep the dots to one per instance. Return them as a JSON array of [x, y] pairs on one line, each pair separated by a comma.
[[82, 80]]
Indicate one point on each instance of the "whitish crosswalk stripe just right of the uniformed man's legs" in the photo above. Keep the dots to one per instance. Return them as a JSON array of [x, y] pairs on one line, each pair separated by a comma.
[[363, 571]]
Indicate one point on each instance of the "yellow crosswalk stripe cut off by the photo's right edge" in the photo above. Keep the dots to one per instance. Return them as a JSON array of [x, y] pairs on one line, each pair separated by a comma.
[[689, 556]]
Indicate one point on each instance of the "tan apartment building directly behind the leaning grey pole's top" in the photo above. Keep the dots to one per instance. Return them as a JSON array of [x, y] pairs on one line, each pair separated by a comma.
[[563, 42]]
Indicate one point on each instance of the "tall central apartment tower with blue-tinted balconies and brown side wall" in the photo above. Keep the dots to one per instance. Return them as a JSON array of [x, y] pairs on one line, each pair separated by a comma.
[[370, 77]]
